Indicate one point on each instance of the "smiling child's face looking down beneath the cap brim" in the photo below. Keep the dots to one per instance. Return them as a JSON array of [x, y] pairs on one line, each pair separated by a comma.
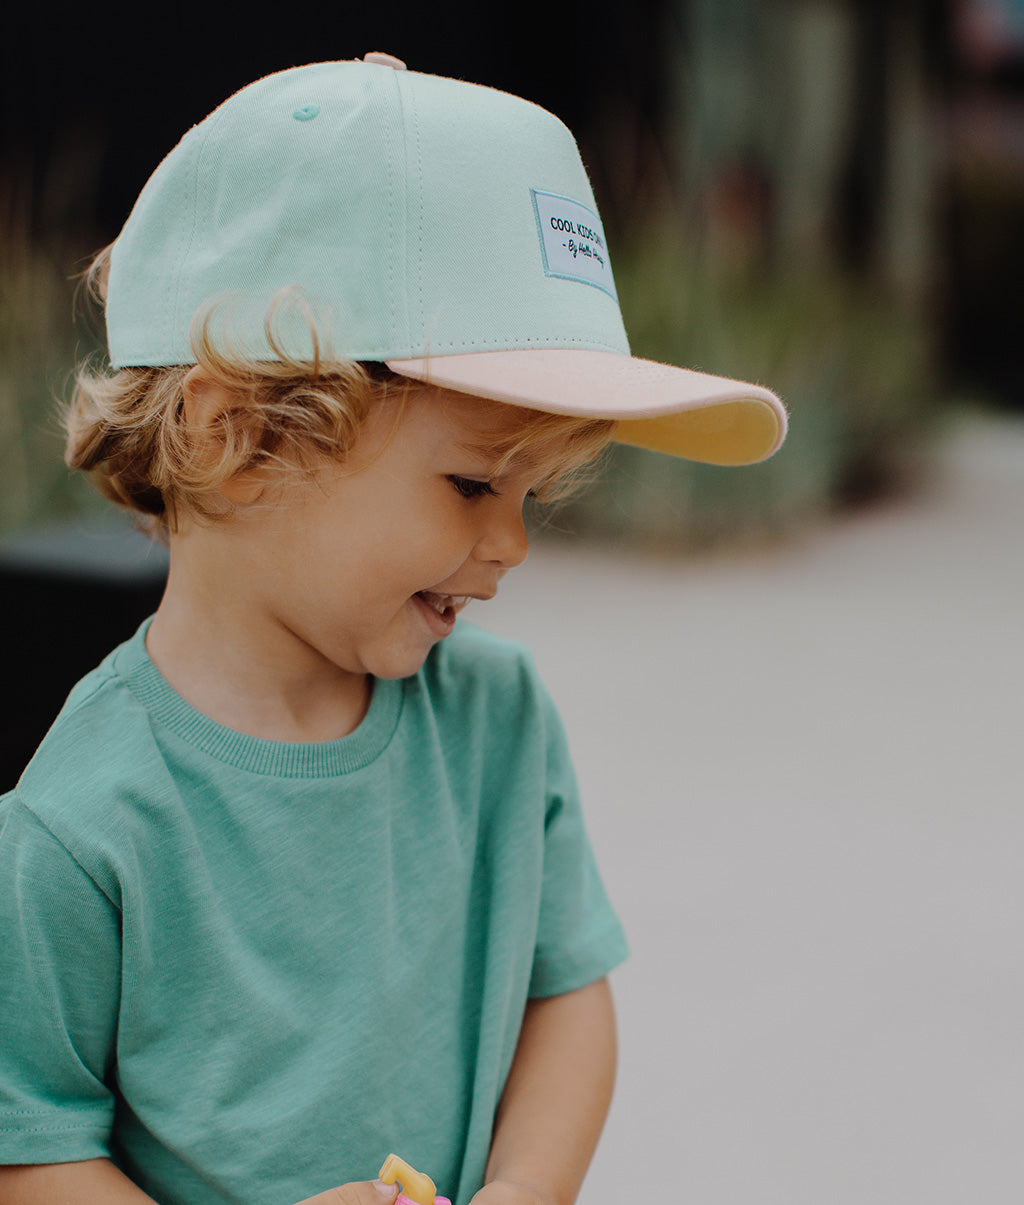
[[369, 566]]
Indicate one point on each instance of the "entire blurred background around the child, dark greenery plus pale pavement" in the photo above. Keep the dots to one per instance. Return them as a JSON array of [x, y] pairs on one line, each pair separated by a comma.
[[793, 690]]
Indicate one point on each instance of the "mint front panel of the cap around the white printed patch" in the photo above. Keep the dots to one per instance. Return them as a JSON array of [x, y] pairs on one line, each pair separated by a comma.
[[482, 154]]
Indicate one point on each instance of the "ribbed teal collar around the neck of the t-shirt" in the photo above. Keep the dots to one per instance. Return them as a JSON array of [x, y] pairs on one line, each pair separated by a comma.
[[314, 760]]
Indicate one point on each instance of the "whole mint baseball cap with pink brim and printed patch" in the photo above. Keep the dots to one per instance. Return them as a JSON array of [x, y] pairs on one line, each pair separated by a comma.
[[445, 228]]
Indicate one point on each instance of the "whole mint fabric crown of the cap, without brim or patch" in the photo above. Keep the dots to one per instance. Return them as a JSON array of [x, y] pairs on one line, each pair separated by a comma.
[[395, 201]]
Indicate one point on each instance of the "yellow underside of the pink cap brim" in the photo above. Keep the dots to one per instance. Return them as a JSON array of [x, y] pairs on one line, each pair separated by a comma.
[[732, 433]]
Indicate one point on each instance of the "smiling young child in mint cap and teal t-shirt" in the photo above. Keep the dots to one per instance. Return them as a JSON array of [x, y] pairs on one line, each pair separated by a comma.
[[299, 875]]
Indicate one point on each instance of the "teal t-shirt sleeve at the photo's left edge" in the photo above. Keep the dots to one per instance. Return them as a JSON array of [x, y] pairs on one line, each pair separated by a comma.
[[60, 991]]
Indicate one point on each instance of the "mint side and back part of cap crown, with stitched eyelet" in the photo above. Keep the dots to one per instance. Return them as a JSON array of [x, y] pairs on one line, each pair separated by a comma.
[[297, 183]]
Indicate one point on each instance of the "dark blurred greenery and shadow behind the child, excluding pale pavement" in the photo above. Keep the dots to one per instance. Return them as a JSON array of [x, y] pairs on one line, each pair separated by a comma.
[[822, 195]]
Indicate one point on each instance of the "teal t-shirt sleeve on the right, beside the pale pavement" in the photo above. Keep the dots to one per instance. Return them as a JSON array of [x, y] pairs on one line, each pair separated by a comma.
[[580, 938]]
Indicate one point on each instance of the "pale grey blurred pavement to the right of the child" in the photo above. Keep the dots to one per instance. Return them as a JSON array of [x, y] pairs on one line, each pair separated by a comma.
[[802, 773]]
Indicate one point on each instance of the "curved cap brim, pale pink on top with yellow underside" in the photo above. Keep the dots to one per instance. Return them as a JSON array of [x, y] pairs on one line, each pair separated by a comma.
[[657, 407]]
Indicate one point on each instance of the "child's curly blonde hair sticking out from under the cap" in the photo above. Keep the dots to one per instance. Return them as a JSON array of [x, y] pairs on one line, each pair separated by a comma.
[[130, 427]]
